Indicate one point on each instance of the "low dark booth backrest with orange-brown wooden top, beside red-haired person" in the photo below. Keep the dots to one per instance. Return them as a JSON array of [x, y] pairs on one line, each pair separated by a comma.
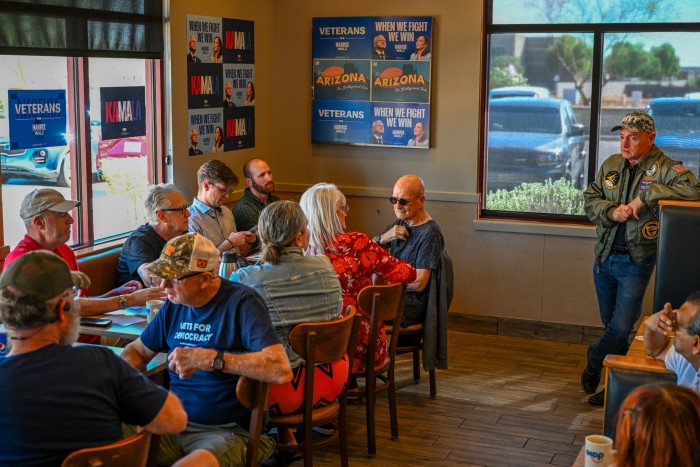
[[623, 375]]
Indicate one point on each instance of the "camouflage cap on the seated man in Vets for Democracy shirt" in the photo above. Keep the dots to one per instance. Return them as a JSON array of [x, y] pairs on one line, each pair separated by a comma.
[[184, 255]]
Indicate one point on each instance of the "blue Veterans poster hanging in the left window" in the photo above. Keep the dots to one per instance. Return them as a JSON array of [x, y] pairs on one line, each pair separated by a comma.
[[37, 118]]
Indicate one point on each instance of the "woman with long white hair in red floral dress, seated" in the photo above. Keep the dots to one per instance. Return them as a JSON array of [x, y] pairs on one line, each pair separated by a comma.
[[354, 256]]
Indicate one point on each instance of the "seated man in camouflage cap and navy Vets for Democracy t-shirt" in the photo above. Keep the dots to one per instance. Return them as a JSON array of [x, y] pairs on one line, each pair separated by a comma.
[[213, 331]]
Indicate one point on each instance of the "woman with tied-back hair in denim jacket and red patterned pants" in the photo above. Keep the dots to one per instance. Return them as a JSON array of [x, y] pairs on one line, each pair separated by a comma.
[[296, 289]]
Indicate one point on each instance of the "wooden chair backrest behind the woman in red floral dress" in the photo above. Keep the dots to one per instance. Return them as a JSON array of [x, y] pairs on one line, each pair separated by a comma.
[[382, 303]]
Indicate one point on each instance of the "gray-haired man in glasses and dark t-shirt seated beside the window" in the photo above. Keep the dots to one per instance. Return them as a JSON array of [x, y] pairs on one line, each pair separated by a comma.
[[167, 213]]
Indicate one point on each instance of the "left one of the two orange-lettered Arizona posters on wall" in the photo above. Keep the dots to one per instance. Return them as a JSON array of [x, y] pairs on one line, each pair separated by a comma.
[[341, 79]]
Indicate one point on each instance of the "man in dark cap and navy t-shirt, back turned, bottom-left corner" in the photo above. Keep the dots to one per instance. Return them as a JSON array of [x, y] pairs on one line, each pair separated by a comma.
[[57, 398]]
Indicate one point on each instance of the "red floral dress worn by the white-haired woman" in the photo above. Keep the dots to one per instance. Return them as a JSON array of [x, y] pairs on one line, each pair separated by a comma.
[[356, 259]]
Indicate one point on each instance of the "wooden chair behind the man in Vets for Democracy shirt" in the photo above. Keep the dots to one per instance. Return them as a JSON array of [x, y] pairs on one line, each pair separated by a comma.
[[254, 395]]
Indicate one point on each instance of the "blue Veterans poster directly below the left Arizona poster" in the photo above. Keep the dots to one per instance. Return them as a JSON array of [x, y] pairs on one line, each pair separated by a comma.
[[341, 122]]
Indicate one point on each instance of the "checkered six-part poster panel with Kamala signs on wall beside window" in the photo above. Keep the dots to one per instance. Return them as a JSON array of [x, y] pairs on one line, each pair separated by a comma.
[[220, 84]]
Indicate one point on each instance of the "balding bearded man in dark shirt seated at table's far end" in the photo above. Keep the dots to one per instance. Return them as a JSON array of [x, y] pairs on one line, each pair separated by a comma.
[[261, 185]]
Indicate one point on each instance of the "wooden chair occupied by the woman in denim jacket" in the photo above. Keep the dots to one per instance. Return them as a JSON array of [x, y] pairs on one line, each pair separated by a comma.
[[321, 342]]
